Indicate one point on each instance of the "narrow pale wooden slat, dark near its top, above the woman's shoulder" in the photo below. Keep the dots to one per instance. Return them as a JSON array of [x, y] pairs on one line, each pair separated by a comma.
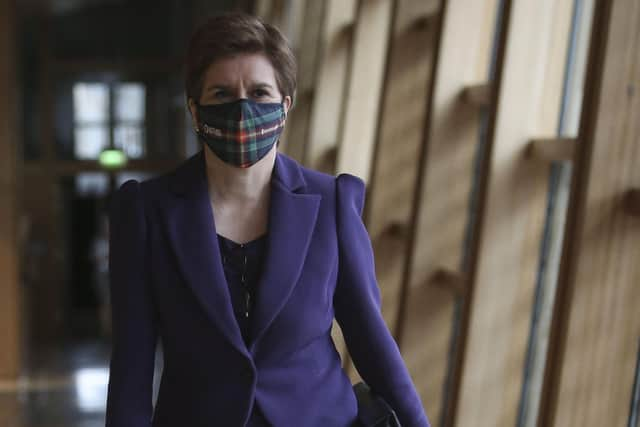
[[328, 99]]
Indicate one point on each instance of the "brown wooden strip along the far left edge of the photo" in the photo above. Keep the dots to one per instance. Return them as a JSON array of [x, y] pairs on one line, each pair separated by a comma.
[[10, 298]]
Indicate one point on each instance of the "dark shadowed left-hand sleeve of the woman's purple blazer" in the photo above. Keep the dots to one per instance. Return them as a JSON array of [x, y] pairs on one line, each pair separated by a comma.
[[129, 398]]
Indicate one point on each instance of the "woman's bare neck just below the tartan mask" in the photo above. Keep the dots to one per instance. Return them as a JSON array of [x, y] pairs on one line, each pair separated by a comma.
[[228, 183]]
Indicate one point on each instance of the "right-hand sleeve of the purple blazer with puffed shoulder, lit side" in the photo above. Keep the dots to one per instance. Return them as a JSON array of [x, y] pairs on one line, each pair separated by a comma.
[[357, 309]]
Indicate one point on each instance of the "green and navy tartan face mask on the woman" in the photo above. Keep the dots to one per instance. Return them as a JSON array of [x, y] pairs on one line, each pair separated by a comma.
[[241, 132]]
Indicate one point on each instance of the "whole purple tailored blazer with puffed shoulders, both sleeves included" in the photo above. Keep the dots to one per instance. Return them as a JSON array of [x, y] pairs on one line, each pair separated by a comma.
[[167, 281]]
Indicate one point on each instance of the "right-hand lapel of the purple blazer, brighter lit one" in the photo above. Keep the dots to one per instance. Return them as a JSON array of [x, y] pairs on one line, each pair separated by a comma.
[[292, 219]]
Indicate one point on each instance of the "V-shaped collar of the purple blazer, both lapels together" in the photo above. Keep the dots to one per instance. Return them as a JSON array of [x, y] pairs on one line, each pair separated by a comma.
[[191, 231]]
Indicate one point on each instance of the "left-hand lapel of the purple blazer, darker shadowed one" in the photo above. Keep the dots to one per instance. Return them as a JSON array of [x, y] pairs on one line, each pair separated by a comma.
[[192, 234]]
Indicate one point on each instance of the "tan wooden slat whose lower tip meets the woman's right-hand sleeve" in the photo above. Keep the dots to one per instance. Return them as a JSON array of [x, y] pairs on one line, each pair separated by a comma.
[[395, 166]]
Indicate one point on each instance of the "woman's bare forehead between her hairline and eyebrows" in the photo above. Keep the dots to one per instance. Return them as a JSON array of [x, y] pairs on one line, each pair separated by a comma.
[[246, 68]]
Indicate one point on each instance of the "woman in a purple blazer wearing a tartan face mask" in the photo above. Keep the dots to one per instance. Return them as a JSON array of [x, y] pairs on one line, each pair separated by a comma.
[[240, 259]]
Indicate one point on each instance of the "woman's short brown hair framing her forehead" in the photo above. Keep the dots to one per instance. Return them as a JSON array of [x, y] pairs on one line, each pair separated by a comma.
[[235, 33]]
